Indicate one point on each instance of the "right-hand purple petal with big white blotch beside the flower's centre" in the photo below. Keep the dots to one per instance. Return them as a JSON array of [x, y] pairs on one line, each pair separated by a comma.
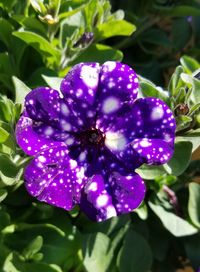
[[149, 126]]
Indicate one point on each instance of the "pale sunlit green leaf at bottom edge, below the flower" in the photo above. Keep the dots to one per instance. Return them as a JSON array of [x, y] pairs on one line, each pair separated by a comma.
[[96, 254]]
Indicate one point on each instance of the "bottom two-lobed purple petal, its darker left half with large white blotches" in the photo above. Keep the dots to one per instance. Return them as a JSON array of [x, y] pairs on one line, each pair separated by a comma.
[[104, 198]]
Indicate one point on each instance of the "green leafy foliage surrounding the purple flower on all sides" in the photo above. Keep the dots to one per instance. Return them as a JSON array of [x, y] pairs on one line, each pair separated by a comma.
[[40, 41]]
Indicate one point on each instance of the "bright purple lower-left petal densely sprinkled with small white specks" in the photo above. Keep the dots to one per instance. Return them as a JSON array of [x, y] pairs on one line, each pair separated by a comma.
[[53, 177]]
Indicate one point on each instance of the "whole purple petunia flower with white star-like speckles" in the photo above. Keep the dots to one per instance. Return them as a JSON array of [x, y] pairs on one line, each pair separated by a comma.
[[88, 140]]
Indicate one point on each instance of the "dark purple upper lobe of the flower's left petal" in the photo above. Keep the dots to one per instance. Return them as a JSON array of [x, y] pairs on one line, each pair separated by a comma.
[[45, 105]]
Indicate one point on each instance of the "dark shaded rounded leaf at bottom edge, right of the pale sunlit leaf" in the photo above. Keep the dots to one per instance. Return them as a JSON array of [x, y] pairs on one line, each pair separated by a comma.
[[135, 254]]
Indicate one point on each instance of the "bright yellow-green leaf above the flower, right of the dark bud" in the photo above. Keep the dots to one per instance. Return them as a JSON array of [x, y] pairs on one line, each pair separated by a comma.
[[113, 28]]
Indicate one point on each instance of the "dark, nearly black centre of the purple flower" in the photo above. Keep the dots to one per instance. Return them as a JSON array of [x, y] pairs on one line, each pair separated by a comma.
[[92, 137]]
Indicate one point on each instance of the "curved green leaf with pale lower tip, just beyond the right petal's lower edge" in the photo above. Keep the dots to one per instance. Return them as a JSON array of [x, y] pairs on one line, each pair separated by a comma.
[[181, 158]]
